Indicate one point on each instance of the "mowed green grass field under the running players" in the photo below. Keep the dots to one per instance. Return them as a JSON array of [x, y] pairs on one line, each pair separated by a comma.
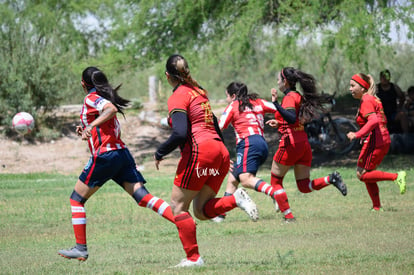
[[333, 234]]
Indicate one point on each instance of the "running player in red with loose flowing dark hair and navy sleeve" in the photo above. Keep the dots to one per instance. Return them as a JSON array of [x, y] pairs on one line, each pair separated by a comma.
[[294, 149]]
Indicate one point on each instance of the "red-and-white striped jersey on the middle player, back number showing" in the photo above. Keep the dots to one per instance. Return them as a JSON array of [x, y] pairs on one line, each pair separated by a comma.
[[249, 122]]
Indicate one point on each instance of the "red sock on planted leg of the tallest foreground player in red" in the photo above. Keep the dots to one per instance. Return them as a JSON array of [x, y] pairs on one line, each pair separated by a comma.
[[187, 233]]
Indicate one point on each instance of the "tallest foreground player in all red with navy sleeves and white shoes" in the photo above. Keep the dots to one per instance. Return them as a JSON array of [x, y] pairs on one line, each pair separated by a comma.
[[204, 159]]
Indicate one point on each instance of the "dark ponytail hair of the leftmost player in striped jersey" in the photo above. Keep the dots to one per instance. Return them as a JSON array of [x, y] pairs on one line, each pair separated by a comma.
[[92, 77]]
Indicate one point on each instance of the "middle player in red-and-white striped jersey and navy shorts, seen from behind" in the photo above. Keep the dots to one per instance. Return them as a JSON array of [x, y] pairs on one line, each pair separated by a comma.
[[246, 113]]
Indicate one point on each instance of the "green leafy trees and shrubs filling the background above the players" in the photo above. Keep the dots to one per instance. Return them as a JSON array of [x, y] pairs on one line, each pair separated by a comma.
[[46, 44]]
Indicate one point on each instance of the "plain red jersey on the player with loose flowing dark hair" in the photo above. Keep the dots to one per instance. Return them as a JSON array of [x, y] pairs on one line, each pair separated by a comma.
[[294, 132]]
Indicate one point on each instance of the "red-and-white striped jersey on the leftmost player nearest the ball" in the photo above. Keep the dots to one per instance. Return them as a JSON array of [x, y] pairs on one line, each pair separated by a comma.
[[105, 137]]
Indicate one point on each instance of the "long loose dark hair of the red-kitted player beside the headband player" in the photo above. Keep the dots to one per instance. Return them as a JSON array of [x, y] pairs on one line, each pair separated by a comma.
[[312, 102]]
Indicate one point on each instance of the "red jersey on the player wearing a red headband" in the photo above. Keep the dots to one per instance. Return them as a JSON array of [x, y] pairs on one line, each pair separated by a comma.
[[371, 105]]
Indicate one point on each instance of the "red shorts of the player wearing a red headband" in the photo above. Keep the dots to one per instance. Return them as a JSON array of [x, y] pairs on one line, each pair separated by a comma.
[[370, 156]]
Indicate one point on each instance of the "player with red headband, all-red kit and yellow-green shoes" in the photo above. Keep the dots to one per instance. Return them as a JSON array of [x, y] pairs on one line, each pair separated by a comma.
[[375, 139]]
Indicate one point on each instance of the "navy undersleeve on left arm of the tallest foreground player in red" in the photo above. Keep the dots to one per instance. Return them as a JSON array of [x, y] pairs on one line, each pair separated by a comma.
[[177, 137]]
